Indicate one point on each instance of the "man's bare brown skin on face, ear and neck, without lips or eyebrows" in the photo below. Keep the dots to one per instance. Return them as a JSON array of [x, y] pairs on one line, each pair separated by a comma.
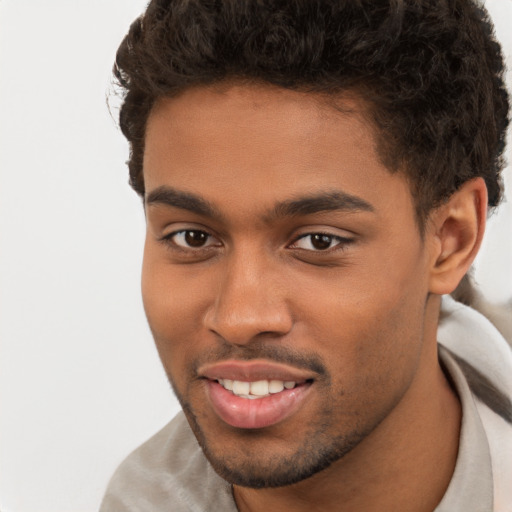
[[366, 309]]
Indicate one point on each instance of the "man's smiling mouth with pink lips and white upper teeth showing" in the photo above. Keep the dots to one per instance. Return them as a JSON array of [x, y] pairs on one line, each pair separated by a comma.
[[255, 395]]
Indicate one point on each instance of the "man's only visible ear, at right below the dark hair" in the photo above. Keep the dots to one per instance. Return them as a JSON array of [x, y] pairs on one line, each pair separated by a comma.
[[456, 230]]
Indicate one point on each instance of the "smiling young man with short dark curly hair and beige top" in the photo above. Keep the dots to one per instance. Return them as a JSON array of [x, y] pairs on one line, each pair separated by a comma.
[[315, 177]]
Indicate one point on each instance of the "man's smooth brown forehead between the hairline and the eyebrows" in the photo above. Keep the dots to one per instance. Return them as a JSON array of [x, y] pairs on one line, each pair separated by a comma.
[[249, 144]]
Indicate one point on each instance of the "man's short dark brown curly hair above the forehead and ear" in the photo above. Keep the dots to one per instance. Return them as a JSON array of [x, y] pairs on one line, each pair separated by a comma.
[[430, 71]]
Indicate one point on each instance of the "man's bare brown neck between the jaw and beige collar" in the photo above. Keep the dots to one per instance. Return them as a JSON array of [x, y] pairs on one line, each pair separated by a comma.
[[406, 463]]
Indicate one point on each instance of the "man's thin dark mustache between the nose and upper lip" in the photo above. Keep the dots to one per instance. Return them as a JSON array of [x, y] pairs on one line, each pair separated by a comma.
[[263, 350]]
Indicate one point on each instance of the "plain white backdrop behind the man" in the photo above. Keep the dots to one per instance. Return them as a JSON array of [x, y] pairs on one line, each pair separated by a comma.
[[80, 381]]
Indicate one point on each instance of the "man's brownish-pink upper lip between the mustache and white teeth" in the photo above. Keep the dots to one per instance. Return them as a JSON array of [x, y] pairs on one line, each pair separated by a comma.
[[251, 371]]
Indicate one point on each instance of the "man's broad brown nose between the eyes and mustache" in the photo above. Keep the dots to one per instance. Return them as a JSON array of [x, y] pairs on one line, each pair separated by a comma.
[[250, 301]]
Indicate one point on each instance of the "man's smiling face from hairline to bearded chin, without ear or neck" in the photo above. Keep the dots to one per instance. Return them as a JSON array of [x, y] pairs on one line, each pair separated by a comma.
[[284, 277]]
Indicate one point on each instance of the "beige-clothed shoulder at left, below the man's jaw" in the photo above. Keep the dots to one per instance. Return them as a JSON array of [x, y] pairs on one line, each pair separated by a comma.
[[167, 472]]
